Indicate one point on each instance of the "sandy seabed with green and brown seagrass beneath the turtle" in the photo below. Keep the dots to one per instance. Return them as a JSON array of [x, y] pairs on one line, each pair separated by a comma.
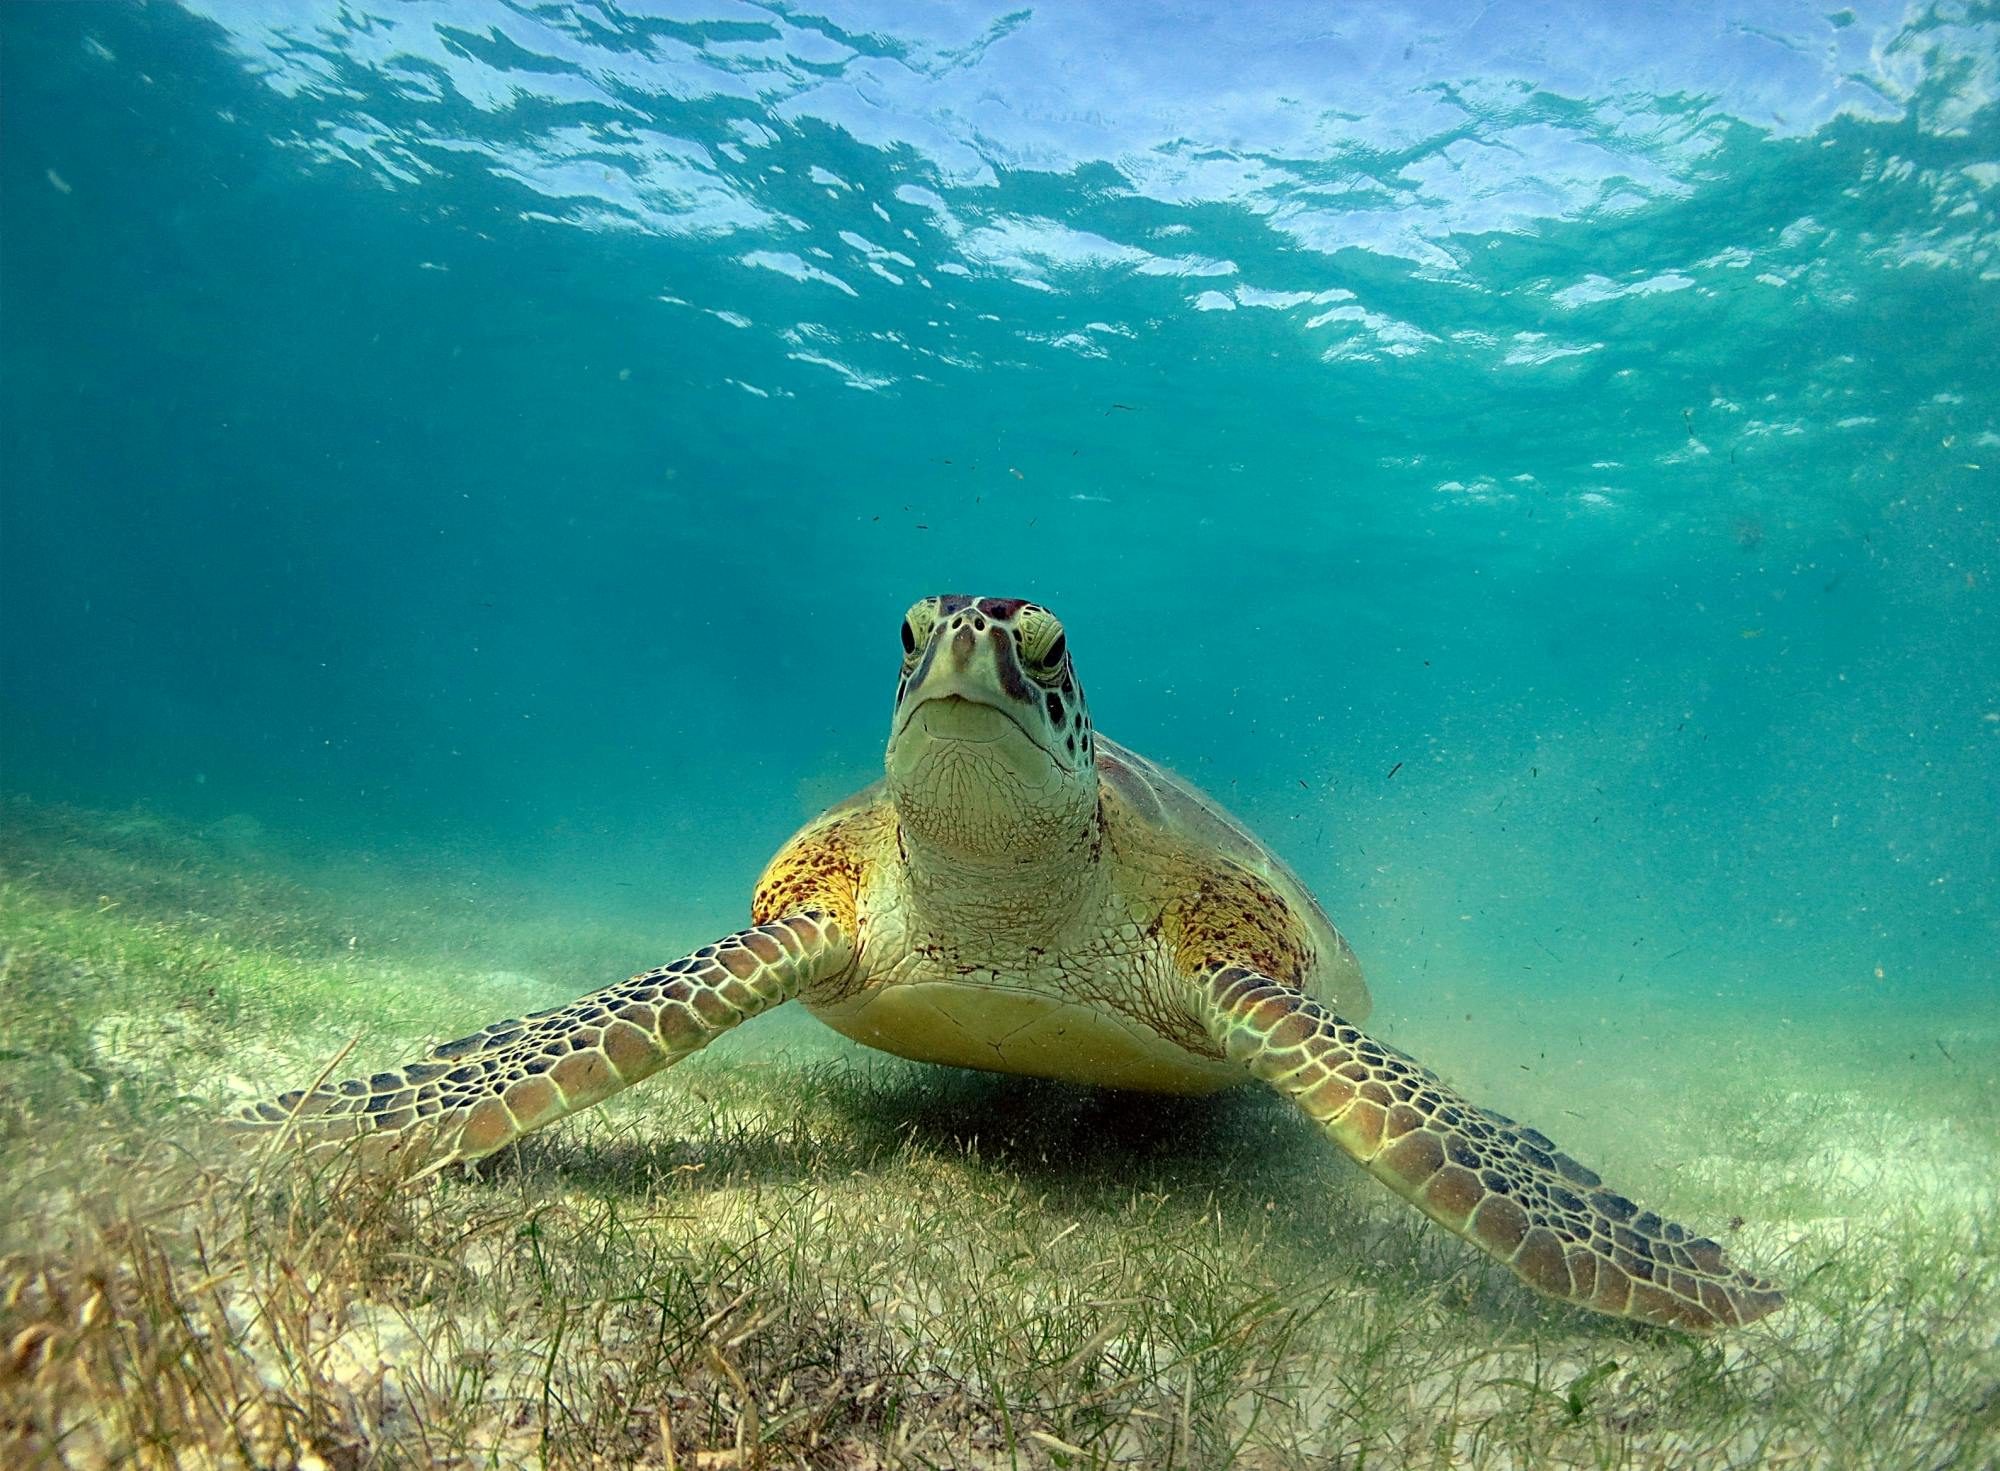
[[791, 1252]]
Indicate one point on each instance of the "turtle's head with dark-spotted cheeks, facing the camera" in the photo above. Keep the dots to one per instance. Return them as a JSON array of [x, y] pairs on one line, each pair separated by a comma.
[[991, 754]]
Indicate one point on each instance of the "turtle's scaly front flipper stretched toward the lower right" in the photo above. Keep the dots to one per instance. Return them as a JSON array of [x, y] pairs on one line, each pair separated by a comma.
[[1495, 1182]]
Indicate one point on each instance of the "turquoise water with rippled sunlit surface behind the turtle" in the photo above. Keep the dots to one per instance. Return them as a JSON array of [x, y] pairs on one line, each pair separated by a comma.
[[1535, 463]]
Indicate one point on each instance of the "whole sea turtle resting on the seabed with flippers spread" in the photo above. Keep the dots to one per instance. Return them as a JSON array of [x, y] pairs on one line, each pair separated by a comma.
[[1025, 896]]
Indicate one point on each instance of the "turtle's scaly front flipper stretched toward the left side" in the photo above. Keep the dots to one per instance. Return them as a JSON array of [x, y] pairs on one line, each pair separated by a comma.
[[483, 1092]]
